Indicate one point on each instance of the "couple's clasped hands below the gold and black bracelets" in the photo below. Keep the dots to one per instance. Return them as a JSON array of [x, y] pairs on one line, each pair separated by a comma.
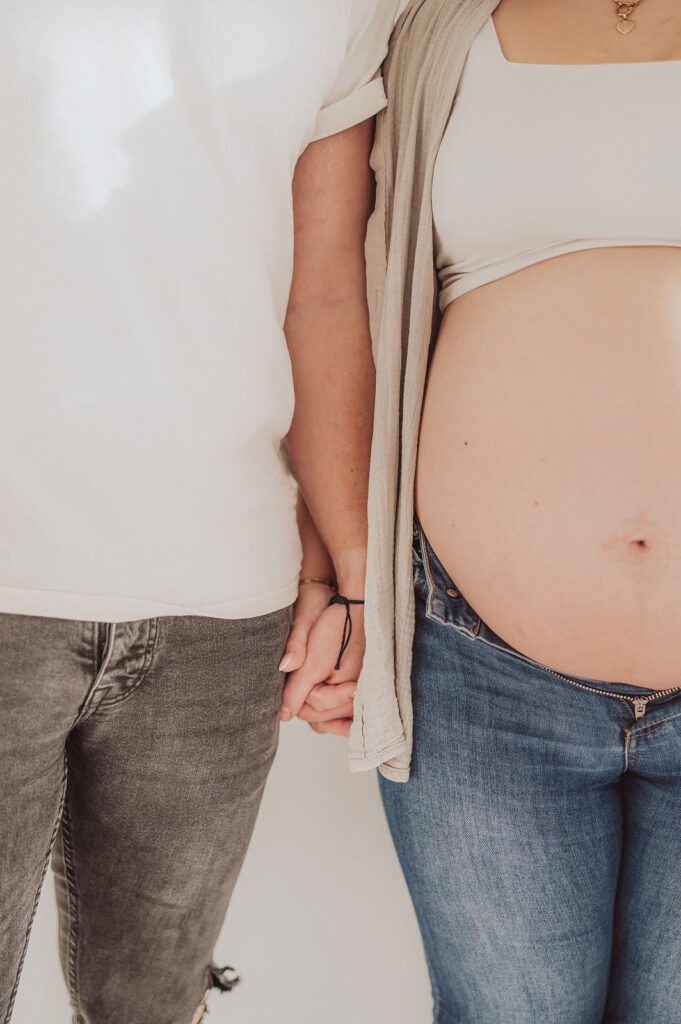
[[317, 693]]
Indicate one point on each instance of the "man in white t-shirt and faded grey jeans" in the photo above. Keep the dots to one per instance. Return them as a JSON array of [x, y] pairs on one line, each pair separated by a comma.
[[150, 553]]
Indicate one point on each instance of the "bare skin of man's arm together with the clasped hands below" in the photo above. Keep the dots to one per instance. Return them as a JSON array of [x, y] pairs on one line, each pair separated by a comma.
[[327, 330]]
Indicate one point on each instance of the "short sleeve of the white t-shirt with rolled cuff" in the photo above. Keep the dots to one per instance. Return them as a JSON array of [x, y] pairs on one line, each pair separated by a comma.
[[358, 92]]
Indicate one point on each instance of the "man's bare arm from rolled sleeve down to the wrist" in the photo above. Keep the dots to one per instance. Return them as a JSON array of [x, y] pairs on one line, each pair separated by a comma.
[[327, 329]]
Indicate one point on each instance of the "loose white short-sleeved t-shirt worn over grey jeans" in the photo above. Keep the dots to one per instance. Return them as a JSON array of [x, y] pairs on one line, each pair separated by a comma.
[[147, 245]]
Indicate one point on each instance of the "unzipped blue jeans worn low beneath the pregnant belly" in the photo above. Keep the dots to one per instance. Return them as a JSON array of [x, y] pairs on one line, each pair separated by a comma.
[[540, 833]]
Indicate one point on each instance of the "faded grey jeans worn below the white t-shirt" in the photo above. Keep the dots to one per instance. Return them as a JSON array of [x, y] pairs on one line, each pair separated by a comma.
[[137, 754]]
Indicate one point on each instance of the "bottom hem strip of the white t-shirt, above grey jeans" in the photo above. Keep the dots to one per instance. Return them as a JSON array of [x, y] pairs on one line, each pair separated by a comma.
[[104, 609]]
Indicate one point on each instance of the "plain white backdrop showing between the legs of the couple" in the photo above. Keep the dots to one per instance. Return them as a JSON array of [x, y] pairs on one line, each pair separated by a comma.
[[323, 935]]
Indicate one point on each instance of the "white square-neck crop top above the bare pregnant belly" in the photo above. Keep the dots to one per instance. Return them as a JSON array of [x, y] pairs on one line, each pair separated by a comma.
[[540, 160]]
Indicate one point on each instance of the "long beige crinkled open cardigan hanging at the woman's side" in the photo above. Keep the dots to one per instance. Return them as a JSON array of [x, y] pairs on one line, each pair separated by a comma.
[[429, 51]]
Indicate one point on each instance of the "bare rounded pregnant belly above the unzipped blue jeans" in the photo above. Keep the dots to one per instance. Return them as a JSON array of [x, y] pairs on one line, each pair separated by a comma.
[[549, 475]]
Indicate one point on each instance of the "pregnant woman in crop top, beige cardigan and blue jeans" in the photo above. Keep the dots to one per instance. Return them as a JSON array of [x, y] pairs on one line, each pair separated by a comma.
[[530, 175]]
